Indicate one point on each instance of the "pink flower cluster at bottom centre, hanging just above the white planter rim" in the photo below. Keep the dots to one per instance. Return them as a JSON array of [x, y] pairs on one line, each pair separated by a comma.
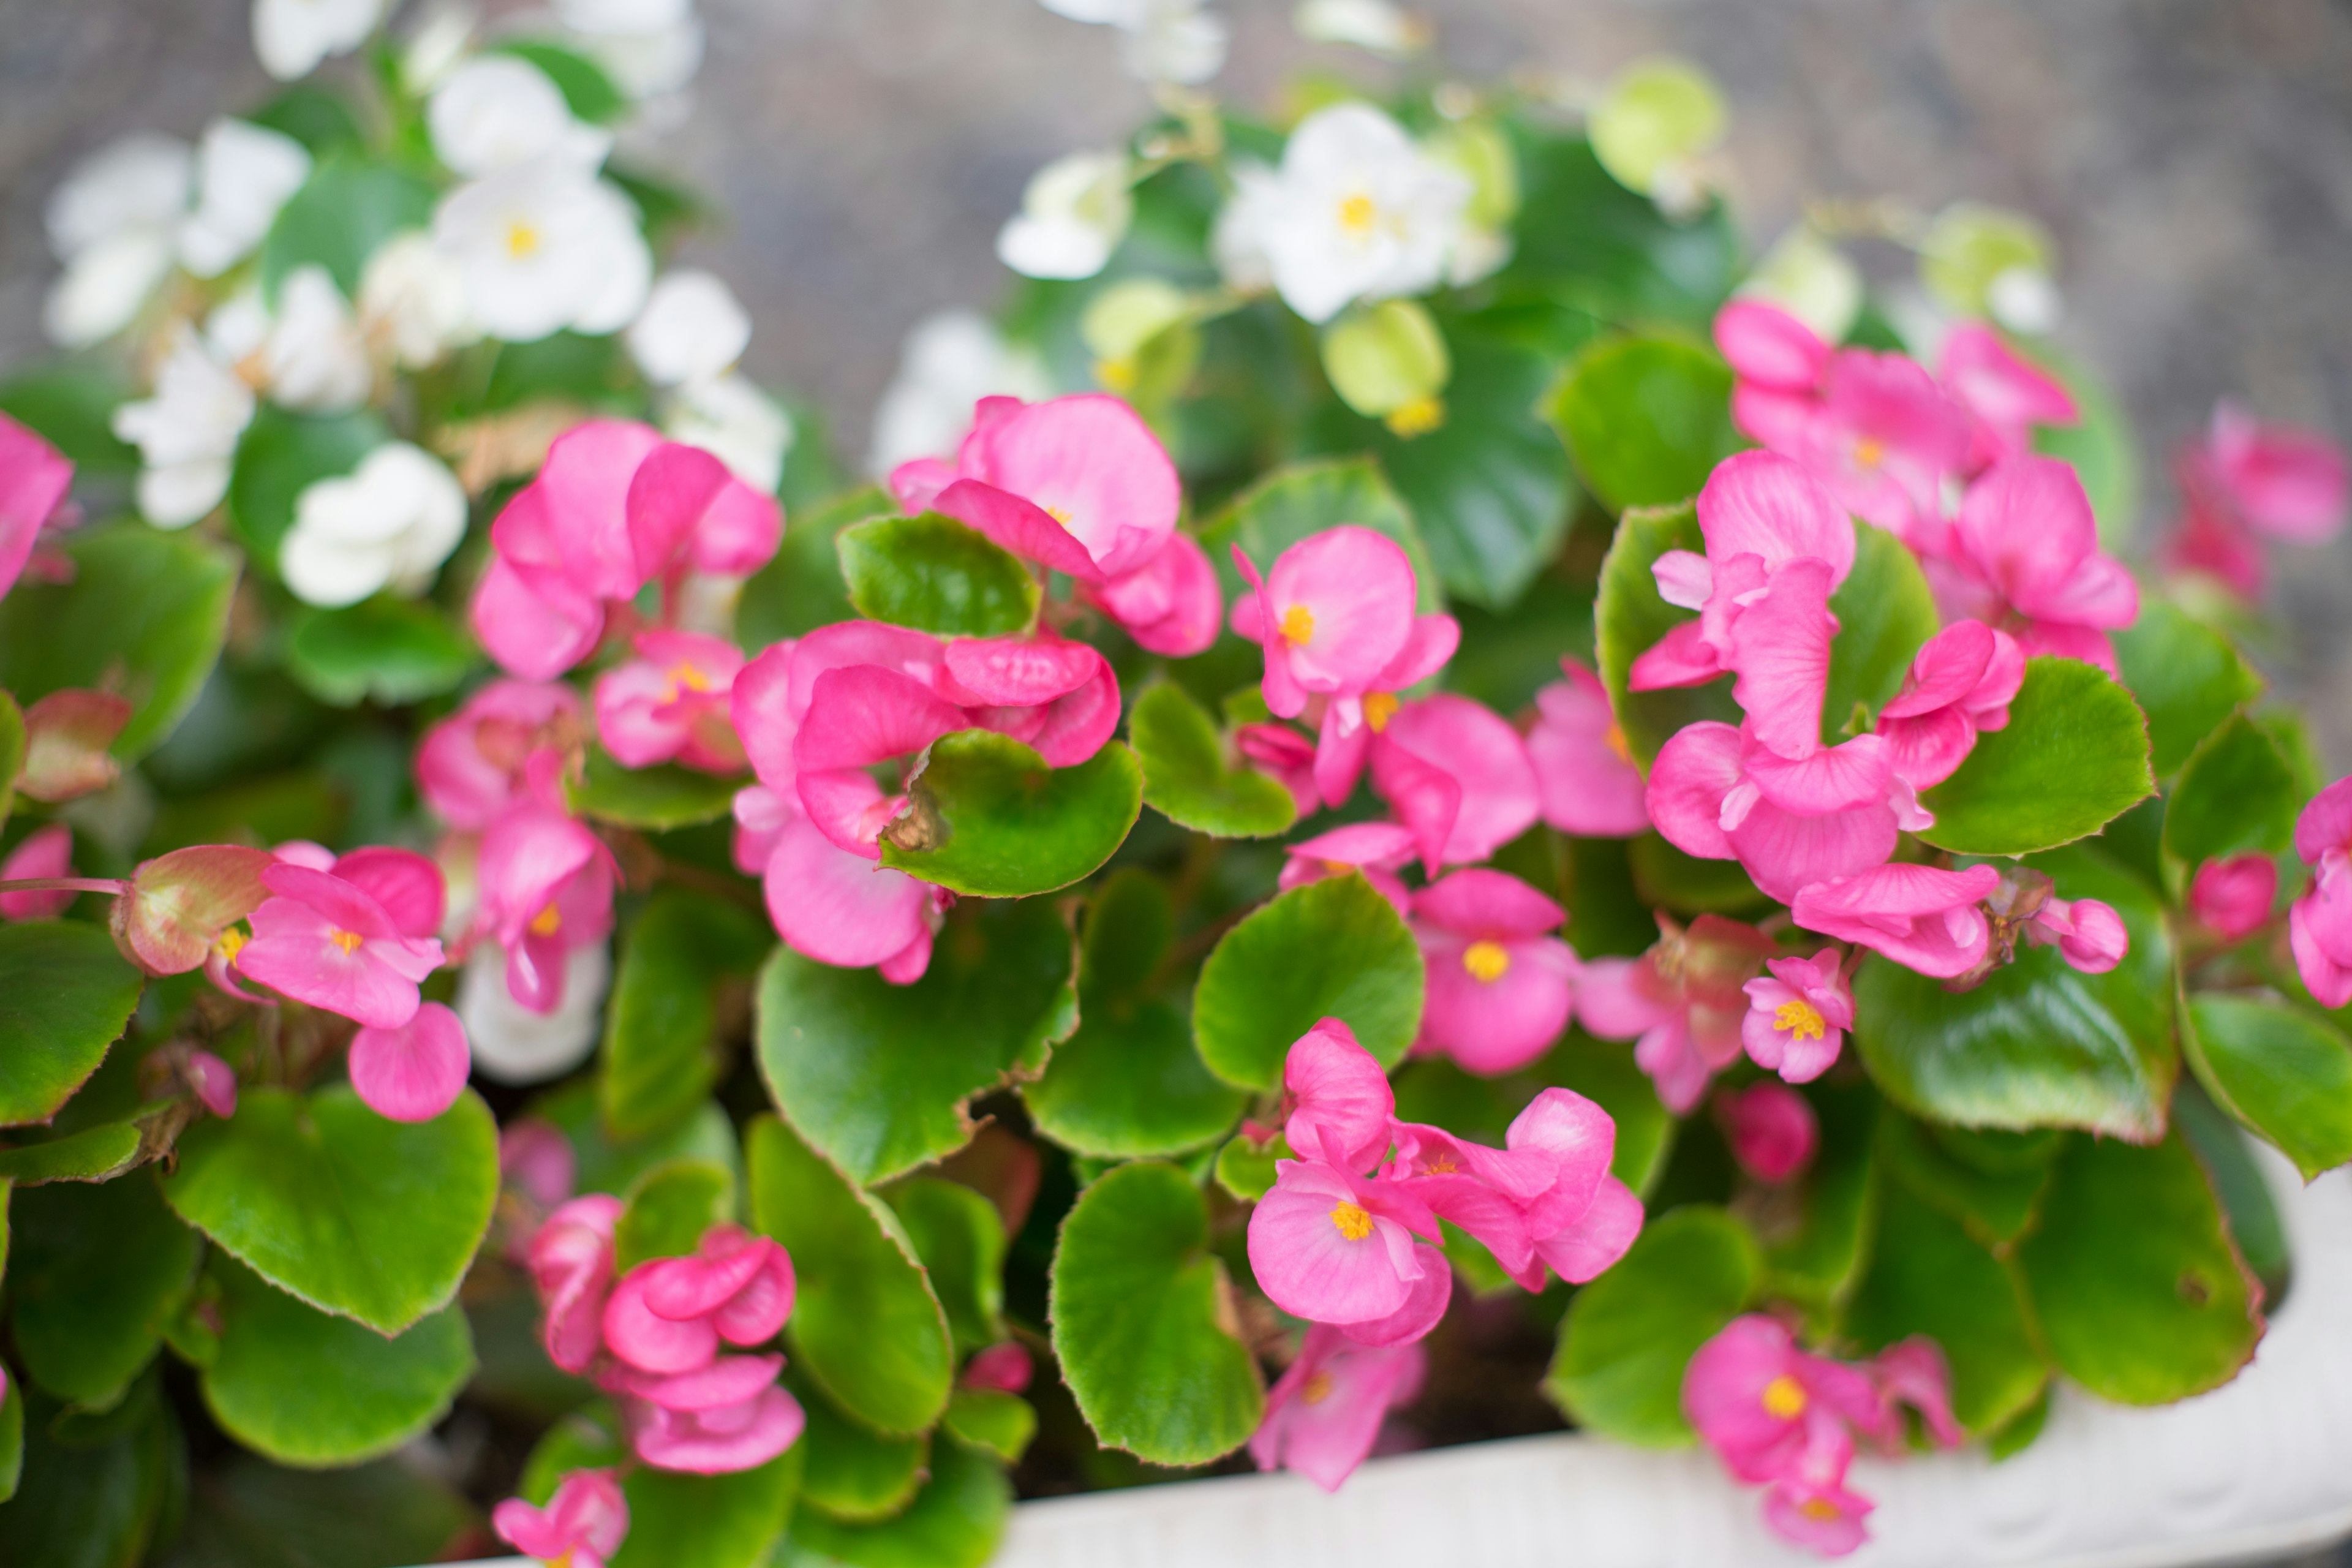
[[1349, 1235]]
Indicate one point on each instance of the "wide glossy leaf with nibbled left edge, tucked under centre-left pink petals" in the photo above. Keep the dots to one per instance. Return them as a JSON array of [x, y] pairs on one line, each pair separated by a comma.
[[991, 819]]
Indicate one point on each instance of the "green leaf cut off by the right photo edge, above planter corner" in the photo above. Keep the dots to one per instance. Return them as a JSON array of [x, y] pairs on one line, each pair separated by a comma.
[[2283, 1073]]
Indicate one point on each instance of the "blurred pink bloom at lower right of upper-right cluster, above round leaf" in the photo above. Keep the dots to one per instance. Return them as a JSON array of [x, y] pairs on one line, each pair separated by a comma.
[[2024, 558]]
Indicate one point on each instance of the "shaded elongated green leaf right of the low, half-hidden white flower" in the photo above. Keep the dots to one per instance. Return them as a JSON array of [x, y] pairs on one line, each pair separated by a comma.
[[662, 1021]]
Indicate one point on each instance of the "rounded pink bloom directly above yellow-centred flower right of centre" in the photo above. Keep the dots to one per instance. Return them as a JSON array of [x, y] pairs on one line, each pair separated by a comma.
[[1459, 777]]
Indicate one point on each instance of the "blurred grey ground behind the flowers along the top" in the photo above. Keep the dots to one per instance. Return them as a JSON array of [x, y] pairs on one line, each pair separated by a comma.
[[2191, 156]]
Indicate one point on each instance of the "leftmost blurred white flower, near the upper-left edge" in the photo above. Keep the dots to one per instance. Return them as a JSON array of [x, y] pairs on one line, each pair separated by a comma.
[[114, 225]]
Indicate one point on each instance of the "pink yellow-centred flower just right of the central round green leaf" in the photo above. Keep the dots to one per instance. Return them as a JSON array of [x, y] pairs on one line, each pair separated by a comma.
[[1499, 986]]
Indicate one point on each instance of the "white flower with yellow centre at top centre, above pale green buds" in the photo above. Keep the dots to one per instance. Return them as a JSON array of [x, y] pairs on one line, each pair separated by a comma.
[[1361, 213]]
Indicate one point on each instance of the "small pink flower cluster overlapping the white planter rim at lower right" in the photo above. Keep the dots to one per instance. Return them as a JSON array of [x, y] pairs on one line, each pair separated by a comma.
[[1786, 1421]]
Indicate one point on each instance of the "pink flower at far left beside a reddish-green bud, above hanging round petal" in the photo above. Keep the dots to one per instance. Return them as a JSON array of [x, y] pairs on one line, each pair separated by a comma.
[[352, 942]]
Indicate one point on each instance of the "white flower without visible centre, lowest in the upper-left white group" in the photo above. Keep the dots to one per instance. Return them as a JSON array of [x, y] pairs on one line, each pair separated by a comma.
[[392, 523]]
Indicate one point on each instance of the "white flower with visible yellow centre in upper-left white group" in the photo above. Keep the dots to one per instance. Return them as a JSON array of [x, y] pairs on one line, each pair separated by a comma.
[[547, 246]]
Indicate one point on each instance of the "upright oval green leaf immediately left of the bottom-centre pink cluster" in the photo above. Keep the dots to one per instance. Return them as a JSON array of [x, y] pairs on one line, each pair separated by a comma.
[[1144, 1322]]
